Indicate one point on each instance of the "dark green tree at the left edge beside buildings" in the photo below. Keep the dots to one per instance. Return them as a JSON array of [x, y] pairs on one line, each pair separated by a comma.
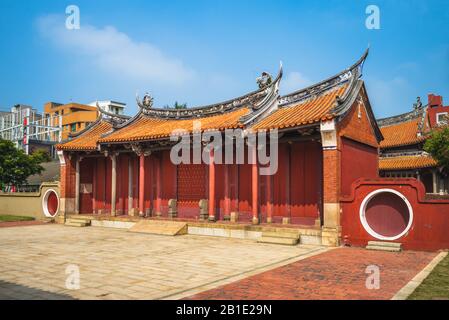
[[16, 166]]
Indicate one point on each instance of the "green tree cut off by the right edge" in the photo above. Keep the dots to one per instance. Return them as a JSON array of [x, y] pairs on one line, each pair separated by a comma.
[[438, 146]]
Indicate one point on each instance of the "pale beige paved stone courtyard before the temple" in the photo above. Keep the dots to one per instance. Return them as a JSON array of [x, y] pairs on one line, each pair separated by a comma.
[[116, 264]]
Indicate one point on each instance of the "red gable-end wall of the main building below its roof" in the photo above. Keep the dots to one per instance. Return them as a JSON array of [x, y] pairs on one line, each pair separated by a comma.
[[357, 160]]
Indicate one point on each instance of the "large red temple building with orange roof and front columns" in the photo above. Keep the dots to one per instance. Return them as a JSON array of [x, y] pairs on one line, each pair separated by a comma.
[[328, 138]]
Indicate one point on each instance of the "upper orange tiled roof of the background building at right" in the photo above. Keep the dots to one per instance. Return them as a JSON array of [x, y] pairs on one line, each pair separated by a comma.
[[401, 134]]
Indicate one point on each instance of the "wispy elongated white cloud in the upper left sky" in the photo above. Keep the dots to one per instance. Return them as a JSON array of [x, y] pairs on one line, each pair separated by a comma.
[[115, 52]]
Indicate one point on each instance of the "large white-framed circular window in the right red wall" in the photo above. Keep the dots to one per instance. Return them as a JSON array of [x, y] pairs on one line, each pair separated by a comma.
[[386, 214]]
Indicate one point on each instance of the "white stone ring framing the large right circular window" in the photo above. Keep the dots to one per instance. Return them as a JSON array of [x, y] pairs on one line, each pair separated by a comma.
[[366, 226]]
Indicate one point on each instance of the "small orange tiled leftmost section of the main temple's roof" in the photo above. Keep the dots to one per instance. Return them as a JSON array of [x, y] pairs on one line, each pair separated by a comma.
[[88, 139]]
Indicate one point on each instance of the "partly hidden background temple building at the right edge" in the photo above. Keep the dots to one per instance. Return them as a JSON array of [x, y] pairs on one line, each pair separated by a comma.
[[401, 151]]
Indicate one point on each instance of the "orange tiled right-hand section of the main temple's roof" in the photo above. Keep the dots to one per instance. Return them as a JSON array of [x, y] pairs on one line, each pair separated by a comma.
[[305, 112]]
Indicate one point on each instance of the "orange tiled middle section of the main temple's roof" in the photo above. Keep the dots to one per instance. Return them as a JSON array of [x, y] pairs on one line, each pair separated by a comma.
[[148, 128]]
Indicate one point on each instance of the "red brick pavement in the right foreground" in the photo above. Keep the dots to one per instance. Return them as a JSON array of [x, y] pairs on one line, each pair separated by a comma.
[[336, 274]]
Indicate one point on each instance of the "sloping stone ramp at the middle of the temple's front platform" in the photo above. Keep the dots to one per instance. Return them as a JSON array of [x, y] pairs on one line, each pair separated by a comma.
[[168, 228]]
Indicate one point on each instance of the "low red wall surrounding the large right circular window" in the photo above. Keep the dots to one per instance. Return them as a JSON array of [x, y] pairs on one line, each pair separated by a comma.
[[429, 230]]
